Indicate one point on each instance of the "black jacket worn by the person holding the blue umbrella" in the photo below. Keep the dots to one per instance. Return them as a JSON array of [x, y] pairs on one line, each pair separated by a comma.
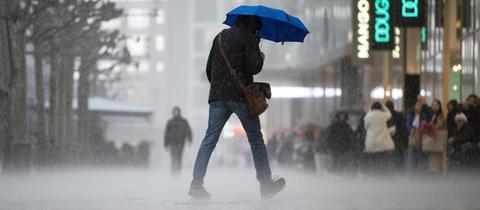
[[243, 52]]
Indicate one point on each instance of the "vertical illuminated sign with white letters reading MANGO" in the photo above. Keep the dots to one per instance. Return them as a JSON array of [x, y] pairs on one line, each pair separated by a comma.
[[363, 18]]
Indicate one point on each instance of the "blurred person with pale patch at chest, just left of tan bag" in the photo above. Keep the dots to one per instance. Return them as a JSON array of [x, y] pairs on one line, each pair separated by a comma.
[[415, 155]]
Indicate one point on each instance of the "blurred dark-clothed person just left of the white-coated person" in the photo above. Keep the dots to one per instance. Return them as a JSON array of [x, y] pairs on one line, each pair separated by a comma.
[[339, 142]]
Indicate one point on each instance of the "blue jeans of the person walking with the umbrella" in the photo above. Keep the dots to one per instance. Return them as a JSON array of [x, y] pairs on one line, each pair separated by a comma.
[[219, 113]]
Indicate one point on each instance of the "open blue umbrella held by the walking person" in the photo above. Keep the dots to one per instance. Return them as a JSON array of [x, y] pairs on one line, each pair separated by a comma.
[[278, 26]]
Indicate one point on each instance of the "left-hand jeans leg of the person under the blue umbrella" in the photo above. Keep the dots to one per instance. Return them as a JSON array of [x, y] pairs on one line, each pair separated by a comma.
[[218, 116]]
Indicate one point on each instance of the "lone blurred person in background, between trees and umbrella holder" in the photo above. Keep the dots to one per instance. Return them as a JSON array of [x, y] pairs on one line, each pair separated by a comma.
[[177, 133]]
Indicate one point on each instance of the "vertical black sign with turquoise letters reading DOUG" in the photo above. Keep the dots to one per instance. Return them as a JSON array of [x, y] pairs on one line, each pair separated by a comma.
[[381, 24]]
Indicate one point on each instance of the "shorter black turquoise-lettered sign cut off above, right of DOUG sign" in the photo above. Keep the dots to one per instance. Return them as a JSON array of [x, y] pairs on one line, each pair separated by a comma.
[[410, 13]]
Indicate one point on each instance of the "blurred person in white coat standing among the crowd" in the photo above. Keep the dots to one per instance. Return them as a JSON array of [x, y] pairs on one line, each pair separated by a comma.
[[379, 144]]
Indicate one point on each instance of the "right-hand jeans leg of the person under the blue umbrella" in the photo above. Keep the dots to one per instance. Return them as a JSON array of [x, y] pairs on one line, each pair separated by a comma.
[[251, 124]]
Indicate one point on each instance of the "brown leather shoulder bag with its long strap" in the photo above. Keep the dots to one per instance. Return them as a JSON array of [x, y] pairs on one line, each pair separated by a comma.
[[256, 94]]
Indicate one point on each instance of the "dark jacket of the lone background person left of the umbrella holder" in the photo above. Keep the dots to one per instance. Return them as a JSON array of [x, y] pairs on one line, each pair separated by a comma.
[[177, 132]]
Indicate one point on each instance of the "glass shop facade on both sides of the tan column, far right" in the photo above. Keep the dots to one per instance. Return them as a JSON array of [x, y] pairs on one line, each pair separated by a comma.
[[468, 63]]
